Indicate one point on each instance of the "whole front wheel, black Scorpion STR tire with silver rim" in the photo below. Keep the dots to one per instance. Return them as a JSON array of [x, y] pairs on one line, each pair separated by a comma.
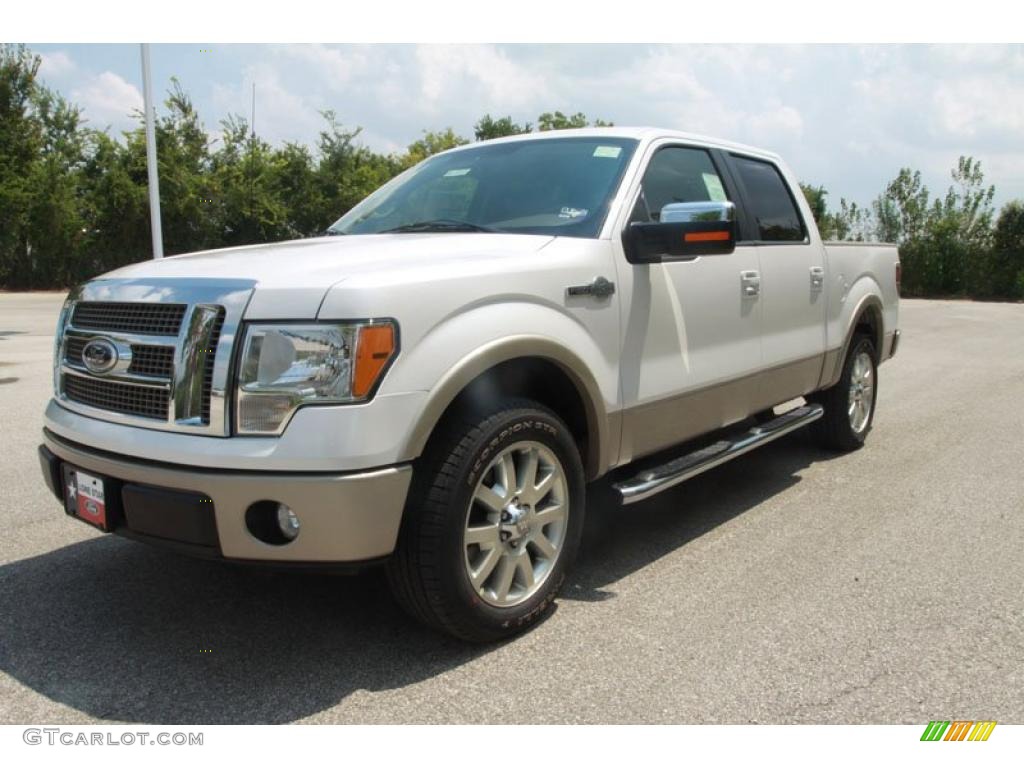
[[493, 524]]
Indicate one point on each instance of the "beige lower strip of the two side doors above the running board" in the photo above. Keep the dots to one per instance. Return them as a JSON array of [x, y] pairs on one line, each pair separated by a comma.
[[655, 426]]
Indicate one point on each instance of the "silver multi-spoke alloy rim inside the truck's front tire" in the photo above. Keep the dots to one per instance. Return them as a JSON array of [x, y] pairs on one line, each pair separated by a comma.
[[517, 525]]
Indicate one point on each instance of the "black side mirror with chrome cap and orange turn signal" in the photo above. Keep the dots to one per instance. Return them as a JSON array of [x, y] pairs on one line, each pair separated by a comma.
[[686, 232]]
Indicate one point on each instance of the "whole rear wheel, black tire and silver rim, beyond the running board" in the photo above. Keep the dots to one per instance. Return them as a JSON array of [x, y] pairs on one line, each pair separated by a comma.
[[850, 403]]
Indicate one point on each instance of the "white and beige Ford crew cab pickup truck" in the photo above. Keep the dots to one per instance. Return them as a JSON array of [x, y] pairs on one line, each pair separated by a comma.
[[435, 382]]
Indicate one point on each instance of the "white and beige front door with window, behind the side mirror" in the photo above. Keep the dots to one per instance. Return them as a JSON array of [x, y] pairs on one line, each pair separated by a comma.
[[692, 330]]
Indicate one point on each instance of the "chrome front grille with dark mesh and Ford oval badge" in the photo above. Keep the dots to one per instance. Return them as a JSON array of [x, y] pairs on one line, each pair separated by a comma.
[[173, 343]]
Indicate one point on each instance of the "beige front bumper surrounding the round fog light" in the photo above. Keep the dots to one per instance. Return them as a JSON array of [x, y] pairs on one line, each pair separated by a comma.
[[344, 518]]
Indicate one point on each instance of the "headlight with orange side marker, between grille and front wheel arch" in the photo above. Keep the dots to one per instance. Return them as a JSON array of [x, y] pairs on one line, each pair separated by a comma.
[[284, 367]]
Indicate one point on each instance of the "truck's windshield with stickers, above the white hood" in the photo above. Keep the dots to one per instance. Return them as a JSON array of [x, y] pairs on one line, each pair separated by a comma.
[[541, 187]]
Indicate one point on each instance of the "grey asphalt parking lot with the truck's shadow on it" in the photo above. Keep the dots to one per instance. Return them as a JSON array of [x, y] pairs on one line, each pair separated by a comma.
[[791, 586]]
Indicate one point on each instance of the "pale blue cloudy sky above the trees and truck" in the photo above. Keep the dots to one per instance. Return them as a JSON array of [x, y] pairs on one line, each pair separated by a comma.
[[846, 117]]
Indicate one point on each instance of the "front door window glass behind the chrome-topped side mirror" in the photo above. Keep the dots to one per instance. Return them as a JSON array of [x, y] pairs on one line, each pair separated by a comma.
[[677, 175]]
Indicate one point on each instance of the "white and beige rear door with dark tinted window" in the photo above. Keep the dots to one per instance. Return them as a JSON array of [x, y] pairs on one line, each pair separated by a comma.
[[792, 263]]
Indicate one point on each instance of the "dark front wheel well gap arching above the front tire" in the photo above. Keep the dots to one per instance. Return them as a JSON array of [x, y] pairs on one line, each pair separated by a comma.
[[537, 379]]
